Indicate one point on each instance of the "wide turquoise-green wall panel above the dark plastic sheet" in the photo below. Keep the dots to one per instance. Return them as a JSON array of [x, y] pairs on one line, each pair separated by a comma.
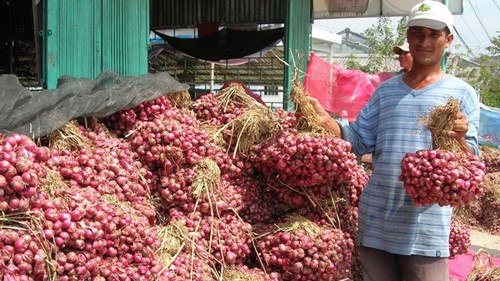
[[83, 38]]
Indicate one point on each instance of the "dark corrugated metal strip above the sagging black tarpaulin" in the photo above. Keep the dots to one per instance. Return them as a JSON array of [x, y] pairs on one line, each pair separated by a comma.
[[188, 13]]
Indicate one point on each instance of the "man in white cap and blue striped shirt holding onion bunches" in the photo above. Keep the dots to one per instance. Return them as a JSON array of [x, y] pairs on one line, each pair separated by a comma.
[[398, 240]]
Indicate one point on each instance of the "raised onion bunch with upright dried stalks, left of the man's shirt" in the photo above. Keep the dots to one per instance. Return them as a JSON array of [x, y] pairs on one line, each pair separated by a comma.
[[308, 157]]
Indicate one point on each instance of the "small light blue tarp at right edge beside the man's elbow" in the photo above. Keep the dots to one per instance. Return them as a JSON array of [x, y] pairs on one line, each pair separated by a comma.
[[489, 126]]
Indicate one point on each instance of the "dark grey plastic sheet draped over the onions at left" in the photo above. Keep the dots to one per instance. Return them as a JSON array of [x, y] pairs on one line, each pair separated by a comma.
[[37, 114]]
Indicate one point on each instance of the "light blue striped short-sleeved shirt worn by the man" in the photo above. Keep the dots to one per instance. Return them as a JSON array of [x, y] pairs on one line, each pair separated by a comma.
[[388, 126]]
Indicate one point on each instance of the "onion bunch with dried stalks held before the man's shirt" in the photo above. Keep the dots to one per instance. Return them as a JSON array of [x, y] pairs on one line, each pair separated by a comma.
[[443, 175]]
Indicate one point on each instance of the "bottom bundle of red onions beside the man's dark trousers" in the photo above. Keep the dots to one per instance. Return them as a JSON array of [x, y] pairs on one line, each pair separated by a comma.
[[307, 252]]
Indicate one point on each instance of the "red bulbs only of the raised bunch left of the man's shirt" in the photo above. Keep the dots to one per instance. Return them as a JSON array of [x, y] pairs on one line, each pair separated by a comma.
[[304, 161]]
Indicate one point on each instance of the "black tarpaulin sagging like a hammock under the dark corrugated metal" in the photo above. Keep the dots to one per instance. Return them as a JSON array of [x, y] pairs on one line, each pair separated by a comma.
[[225, 44]]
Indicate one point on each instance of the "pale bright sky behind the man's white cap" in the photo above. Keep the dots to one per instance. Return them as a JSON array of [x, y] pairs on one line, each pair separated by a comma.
[[477, 26]]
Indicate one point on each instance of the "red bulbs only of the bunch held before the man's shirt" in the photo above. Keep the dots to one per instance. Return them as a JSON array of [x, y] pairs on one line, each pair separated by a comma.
[[442, 177]]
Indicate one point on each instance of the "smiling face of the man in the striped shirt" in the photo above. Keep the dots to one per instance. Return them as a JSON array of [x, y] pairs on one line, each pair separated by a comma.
[[427, 45]]
